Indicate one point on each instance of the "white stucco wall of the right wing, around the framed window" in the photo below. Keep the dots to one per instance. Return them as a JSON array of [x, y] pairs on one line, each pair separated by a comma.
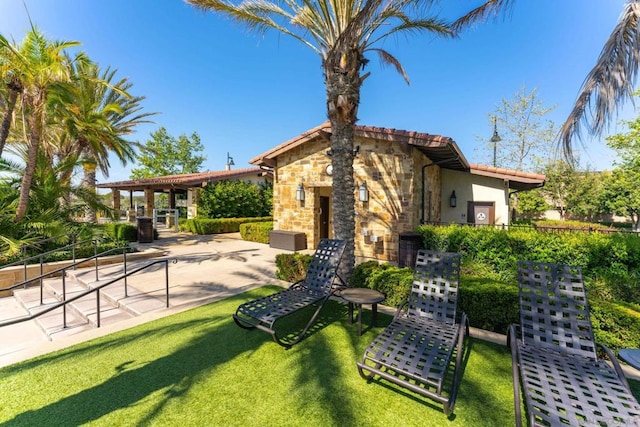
[[469, 187]]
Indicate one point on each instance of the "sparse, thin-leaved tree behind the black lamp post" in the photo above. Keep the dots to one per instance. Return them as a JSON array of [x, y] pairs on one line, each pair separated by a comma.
[[524, 132]]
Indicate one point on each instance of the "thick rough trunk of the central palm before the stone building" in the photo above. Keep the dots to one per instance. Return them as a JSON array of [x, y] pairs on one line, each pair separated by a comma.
[[343, 84]]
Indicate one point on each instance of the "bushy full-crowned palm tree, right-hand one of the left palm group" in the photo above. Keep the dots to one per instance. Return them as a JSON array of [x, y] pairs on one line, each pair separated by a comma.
[[96, 117]]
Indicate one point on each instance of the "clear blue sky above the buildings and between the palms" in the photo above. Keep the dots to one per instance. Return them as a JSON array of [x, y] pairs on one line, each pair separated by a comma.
[[245, 94]]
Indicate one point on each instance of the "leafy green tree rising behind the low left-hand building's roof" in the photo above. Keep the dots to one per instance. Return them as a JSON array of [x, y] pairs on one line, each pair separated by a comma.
[[165, 155]]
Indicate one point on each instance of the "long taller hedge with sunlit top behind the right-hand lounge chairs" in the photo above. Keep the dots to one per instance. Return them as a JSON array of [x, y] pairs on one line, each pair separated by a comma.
[[611, 259]]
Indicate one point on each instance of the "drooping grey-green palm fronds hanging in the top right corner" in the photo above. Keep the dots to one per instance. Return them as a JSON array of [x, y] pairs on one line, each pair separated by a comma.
[[609, 83]]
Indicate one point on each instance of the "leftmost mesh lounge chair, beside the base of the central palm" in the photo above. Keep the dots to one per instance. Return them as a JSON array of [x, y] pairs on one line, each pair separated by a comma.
[[315, 288]]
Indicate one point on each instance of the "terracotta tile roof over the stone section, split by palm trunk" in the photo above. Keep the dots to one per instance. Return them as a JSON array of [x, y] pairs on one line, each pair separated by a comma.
[[437, 147]]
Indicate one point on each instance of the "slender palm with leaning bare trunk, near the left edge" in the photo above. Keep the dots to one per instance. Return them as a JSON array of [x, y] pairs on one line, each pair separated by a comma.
[[39, 66]]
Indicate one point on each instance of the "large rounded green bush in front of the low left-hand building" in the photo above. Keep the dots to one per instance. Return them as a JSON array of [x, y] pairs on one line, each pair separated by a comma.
[[235, 199]]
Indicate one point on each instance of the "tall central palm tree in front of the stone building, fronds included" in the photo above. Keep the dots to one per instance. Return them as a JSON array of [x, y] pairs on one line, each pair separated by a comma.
[[342, 32]]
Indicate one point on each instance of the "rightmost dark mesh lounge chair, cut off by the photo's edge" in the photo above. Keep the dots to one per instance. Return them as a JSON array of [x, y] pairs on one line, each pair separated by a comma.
[[554, 355]]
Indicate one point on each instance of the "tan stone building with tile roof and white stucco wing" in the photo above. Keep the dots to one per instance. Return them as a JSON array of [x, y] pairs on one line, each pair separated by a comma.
[[402, 179]]
